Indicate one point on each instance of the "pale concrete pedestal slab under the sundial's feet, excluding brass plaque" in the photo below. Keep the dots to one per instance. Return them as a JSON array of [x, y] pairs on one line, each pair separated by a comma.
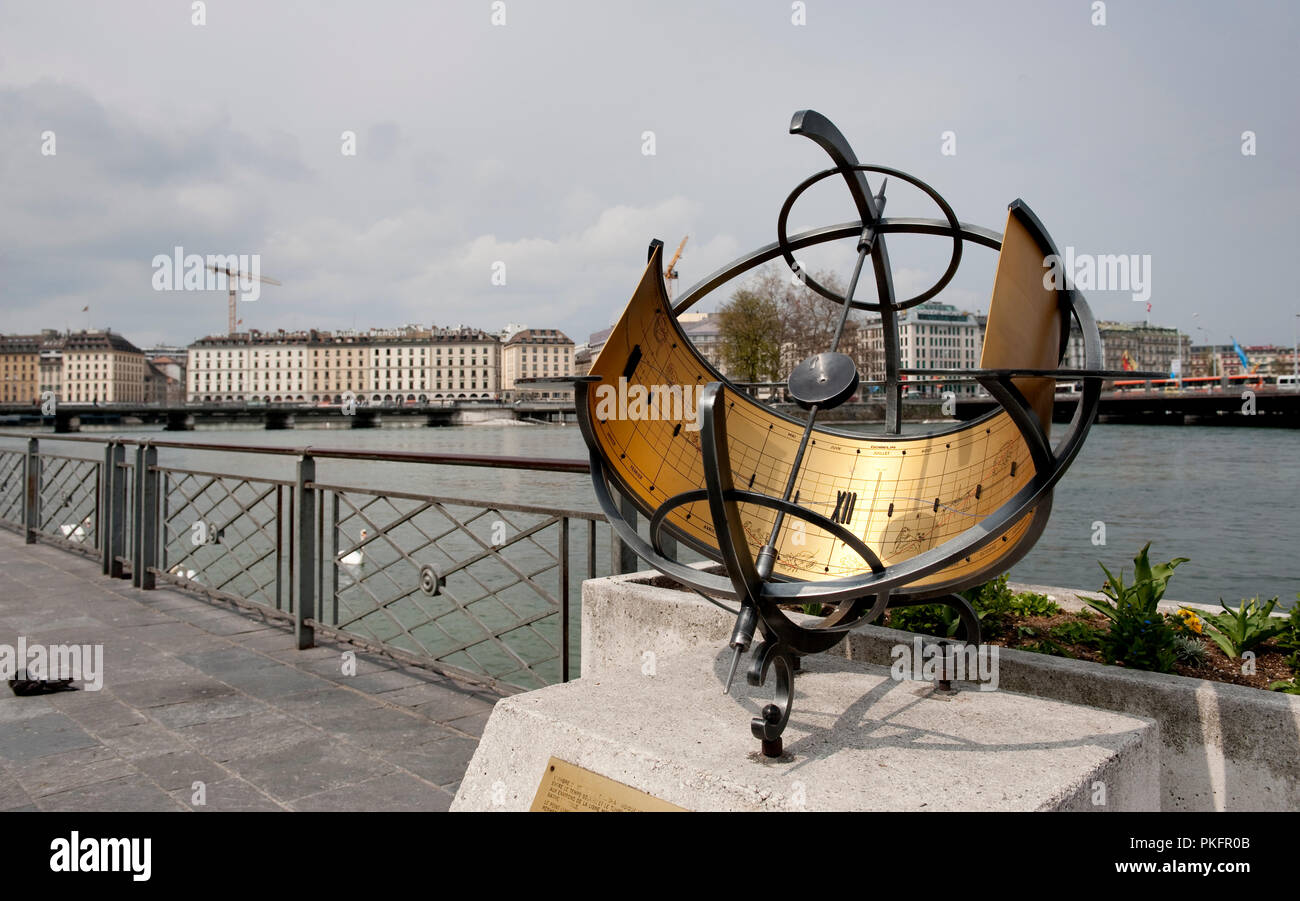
[[857, 740]]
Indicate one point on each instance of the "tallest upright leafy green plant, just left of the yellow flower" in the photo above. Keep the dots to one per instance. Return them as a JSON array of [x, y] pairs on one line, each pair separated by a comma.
[[1139, 635]]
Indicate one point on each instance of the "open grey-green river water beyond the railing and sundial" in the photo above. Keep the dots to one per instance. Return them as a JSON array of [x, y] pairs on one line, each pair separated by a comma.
[[1229, 499]]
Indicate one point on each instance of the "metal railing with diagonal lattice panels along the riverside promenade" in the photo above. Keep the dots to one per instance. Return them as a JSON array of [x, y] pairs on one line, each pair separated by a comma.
[[480, 590]]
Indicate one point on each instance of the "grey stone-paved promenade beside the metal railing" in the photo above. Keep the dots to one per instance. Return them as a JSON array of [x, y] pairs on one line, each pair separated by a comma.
[[196, 692]]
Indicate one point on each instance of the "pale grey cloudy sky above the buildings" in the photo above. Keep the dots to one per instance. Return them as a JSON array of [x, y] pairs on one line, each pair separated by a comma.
[[525, 144]]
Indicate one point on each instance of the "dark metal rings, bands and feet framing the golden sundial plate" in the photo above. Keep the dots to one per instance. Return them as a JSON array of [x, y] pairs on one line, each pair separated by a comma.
[[863, 597]]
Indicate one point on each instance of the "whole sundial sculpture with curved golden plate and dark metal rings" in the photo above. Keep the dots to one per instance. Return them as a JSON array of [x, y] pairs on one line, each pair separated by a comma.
[[799, 514]]
